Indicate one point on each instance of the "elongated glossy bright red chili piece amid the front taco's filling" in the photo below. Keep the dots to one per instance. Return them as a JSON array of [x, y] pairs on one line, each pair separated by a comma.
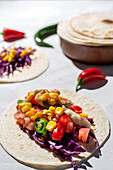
[[58, 132]]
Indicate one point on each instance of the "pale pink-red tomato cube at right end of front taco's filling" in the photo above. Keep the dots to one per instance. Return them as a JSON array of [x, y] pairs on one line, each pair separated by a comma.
[[83, 134]]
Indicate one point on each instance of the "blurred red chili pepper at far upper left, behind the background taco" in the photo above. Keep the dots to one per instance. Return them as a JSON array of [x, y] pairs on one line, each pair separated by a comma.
[[12, 35]]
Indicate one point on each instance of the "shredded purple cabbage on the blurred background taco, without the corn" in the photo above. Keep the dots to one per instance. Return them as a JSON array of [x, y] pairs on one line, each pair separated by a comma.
[[16, 63]]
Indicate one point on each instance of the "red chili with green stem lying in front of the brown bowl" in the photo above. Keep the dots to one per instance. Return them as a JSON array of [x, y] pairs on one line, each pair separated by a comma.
[[89, 75]]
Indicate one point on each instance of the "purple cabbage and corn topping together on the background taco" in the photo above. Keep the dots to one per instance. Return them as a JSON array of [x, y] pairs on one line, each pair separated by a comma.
[[12, 59]]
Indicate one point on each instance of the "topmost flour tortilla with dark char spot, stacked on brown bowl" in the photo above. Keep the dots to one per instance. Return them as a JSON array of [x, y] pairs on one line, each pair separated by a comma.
[[95, 25]]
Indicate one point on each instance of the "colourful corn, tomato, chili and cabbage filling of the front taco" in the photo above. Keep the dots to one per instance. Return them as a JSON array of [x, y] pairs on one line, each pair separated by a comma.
[[56, 123]]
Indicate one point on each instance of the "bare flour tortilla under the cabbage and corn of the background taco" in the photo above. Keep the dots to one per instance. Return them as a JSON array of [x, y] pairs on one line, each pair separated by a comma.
[[39, 64]]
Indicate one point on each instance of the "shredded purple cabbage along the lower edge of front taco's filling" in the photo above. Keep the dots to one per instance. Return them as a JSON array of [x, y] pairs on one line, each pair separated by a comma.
[[65, 148]]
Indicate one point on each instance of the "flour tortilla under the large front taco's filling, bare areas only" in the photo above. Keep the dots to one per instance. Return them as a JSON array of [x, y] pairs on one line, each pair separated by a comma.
[[22, 148]]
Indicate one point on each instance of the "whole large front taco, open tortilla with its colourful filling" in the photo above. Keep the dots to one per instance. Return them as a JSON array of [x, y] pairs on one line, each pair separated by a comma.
[[53, 128]]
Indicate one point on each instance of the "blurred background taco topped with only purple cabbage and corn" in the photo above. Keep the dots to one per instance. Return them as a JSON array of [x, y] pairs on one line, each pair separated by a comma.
[[19, 64]]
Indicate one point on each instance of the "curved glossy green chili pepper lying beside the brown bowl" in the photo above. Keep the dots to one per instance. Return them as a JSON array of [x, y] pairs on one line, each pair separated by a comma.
[[44, 33]]
